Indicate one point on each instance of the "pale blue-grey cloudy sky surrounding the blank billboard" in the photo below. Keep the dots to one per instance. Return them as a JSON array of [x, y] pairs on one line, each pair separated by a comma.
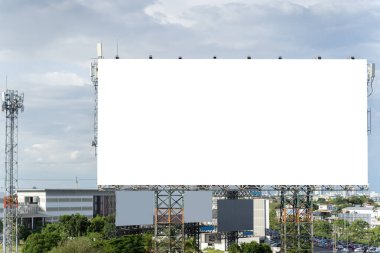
[[46, 48]]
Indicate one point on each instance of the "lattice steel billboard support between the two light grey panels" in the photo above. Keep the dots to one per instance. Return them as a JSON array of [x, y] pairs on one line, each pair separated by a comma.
[[169, 228]]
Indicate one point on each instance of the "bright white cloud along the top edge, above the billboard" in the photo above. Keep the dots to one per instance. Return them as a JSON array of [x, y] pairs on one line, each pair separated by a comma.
[[187, 13]]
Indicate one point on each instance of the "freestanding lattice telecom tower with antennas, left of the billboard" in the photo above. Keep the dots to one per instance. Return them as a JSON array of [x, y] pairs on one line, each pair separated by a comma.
[[12, 103]]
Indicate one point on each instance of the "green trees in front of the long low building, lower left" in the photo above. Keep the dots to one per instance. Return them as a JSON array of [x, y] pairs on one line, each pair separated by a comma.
[[76, 233]]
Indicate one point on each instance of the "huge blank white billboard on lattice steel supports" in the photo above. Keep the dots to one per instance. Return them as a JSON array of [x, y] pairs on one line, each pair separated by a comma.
[[232, 122]]
